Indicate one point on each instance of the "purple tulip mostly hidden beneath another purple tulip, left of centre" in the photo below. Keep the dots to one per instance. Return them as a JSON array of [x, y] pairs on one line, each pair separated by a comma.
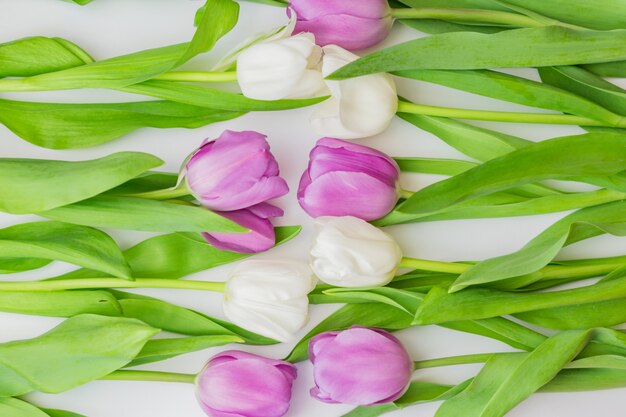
[[261, 236]]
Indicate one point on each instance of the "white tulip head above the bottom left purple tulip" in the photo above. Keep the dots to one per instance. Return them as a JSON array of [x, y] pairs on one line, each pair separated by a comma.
[[269, 297]]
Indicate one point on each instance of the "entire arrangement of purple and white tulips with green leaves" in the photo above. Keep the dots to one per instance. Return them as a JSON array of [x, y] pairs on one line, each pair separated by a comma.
[[558, 320]]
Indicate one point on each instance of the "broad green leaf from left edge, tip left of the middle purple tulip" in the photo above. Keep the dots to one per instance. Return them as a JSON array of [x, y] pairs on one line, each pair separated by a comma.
[[34, 185]]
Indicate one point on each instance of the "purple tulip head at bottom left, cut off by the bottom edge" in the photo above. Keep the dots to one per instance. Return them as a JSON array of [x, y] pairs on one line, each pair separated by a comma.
[[241, 384]]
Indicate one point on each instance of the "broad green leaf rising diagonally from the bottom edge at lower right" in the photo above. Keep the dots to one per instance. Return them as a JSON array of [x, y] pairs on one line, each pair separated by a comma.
[[508, 379]]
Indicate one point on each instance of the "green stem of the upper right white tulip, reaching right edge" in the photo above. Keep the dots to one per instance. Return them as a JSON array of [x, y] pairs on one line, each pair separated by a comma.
[[500, 116]]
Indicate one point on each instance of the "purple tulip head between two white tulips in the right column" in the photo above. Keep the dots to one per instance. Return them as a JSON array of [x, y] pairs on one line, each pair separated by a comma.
[[345, 179]]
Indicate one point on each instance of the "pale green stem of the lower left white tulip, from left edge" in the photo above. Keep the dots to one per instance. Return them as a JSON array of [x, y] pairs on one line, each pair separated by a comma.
[[94, 283]]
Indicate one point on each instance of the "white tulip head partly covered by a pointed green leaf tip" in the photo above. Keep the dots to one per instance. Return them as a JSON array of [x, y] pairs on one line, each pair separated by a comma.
[[358, 107]]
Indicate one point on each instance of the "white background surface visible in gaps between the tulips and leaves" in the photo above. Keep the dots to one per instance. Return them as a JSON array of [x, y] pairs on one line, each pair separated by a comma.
[[112, 27]]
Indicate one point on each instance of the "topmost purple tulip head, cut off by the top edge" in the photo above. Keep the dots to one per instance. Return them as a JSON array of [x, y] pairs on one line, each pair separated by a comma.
[[351, 24]]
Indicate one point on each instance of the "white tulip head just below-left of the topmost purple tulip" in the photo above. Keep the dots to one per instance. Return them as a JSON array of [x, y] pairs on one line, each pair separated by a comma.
[[282, 68]]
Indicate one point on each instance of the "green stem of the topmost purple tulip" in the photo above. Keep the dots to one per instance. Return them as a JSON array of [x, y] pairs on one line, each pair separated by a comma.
[[467, 15]]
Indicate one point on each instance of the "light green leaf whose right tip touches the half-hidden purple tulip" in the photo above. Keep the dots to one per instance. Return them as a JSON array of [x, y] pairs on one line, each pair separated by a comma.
[[142, 214]]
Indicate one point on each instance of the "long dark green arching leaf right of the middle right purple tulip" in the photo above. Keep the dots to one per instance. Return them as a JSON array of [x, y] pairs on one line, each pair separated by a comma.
[[589, 156]]
